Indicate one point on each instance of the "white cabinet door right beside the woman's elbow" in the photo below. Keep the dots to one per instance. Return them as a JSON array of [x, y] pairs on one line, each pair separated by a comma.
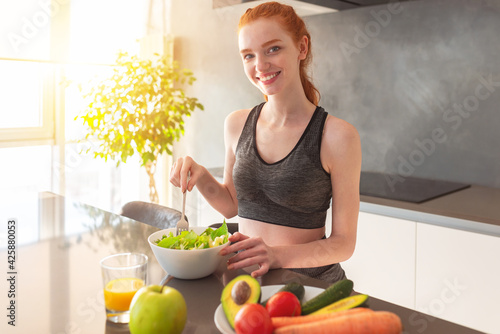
[[383, 264]]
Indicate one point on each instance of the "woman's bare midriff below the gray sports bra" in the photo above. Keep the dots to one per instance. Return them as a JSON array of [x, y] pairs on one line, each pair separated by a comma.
[[274, 235]]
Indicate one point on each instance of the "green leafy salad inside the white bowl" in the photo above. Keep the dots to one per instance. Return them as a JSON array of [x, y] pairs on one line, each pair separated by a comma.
[[190, 240]]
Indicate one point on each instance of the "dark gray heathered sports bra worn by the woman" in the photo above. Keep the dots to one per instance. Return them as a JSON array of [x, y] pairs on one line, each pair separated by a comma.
[[295, 191]]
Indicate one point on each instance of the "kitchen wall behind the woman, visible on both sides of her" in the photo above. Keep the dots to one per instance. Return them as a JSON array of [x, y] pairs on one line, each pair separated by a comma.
[[420, 81]]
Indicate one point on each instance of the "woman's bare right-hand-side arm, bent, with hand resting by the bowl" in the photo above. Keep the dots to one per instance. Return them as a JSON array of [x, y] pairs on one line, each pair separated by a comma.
[[341, 157]]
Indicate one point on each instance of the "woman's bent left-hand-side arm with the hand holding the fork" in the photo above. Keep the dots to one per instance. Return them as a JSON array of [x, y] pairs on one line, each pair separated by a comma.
[[221, 196]]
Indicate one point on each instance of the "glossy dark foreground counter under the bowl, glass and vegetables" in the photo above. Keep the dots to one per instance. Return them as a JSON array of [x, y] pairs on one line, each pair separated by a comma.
[[59, 267]]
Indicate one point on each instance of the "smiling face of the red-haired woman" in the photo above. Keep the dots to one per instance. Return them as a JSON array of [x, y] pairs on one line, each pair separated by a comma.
[[270, 57]]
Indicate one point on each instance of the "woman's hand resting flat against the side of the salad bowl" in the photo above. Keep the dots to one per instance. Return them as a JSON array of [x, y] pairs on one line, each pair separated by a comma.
[[249, 252]]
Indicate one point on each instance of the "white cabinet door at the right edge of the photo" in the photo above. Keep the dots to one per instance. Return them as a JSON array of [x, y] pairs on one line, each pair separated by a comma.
[[458, 277]]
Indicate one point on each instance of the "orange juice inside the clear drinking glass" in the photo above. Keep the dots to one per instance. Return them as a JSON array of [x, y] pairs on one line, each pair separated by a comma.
[[118, 293]]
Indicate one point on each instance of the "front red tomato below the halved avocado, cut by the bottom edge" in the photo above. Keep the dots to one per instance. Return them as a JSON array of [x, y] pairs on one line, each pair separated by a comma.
[[253, 319]]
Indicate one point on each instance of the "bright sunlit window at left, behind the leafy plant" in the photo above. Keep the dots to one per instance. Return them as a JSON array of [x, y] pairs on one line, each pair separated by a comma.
[[44, 42]]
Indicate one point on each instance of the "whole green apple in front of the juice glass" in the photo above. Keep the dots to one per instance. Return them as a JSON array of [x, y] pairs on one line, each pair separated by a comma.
[[157, 309]]
